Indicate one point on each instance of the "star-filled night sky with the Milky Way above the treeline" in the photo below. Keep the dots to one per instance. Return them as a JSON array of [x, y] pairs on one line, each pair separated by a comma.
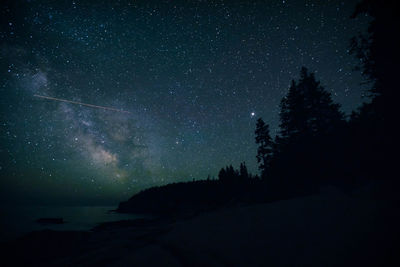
[[194, 76]]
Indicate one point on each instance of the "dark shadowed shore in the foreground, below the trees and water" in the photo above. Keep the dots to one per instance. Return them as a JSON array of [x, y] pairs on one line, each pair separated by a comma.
[[328, 229]]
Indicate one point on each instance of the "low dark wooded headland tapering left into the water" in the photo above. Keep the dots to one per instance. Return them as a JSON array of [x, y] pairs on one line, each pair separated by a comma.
[[195, 196]]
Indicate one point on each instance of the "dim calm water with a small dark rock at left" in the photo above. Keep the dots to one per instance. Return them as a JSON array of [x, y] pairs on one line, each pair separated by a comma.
[[16, 221]]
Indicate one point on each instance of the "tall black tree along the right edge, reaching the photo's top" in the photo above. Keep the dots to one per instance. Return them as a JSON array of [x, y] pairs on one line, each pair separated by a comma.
[[373, 129]]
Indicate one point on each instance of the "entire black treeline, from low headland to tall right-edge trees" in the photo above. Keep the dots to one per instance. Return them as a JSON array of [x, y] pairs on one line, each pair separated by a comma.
[[316, 144]]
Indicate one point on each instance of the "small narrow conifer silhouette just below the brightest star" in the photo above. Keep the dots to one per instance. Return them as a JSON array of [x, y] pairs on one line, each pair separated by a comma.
[[265, 144]]
